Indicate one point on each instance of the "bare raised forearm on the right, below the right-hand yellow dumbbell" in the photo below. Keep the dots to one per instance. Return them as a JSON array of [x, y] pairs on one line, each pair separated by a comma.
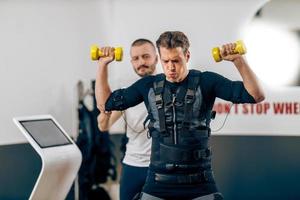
[[250, 80]]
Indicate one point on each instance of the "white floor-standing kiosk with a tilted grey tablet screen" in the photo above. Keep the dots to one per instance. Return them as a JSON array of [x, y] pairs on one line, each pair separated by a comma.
[[60, 156]]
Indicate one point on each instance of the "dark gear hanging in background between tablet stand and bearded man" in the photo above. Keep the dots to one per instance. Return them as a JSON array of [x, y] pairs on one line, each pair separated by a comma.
[[98, 160]]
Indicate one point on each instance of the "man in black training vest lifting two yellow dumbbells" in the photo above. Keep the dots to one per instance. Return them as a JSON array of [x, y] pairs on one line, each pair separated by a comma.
[[179, 104]]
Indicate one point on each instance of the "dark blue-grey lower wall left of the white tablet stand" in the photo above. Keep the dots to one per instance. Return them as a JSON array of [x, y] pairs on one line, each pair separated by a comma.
[[19, 169]]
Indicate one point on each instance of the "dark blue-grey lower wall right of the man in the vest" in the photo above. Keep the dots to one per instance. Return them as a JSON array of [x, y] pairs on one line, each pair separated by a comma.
[[257, 167]]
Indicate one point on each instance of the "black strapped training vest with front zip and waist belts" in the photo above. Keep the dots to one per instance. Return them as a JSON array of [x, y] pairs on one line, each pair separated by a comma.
[[179, 126]]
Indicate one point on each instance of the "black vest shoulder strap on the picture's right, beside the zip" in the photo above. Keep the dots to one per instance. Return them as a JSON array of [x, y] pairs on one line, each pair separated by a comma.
[[189, 100]]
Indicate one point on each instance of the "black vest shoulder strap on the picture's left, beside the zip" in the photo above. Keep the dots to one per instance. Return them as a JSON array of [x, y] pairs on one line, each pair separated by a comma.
[[158, 87]]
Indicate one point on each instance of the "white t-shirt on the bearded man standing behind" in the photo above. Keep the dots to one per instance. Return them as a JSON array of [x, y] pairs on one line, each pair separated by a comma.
[[138, 148]]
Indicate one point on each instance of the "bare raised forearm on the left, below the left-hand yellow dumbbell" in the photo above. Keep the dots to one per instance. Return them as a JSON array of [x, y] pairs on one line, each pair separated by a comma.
[[102, 86]]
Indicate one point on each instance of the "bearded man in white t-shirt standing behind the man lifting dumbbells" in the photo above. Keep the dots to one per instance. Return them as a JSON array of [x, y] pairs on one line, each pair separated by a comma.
[[137, 155]]
